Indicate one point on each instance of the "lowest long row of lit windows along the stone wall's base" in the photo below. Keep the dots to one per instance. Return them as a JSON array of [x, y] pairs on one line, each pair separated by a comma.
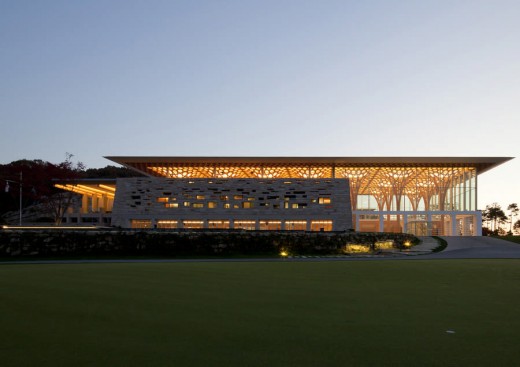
[[263, 225]]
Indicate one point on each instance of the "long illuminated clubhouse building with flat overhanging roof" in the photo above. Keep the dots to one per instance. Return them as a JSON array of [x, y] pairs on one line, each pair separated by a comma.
[[418, 195]]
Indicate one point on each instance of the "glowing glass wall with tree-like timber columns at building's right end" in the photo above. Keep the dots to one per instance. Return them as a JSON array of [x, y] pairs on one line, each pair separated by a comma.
[[433, 194]]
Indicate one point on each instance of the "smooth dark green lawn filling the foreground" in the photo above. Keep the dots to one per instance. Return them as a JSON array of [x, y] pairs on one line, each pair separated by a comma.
[[366, 313]]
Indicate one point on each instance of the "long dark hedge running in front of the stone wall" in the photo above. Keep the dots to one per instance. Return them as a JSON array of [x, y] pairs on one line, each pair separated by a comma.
[[72, 243]]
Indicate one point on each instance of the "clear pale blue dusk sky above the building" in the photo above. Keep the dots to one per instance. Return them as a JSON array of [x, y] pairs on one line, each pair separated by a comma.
[[263, 78]]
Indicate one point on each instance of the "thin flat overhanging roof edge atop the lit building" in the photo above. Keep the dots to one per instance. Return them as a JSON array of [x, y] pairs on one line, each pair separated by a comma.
[[482, 164]]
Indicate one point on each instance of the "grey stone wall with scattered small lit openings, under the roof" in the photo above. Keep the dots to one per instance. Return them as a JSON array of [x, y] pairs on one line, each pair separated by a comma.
[[155, 200]]
